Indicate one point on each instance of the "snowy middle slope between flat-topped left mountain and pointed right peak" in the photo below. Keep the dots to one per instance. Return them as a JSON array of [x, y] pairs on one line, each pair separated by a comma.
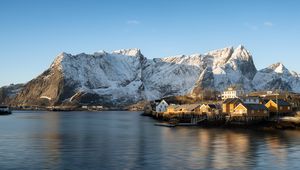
[[171, 75]]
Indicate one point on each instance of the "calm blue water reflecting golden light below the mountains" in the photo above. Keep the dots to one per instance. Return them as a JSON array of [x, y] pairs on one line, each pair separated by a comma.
[[125, 140]]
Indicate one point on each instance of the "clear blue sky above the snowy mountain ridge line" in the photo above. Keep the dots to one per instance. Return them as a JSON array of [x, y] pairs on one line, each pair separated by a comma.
[[34, 32]]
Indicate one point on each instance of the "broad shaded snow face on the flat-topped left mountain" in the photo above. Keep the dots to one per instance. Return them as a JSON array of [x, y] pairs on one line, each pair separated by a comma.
[[116, 74]]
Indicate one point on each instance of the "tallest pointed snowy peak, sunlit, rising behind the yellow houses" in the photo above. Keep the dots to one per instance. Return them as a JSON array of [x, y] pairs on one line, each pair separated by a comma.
[[231, 66]]
